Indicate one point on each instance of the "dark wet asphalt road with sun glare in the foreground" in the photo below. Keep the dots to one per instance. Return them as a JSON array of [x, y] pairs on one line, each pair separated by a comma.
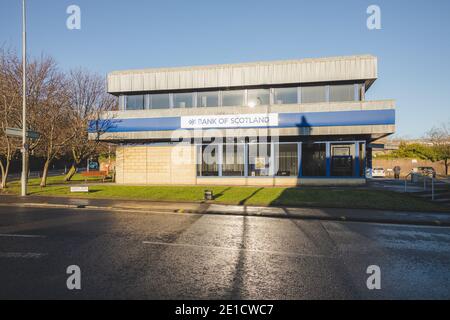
[[130, 255]]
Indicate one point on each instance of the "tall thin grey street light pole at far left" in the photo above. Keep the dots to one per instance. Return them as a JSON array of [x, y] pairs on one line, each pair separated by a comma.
[[24, 106]]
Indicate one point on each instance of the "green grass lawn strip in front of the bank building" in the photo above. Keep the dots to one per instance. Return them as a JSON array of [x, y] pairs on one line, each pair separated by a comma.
[[265, 196]]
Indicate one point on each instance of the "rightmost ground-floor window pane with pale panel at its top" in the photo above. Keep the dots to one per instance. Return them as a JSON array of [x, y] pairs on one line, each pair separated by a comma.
[[342, 156]]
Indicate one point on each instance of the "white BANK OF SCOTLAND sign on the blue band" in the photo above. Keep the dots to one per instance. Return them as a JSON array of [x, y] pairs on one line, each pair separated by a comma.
[[230, 121]]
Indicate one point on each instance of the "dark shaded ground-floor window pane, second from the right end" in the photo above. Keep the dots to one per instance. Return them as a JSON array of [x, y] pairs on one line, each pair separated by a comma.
[[314, 160]]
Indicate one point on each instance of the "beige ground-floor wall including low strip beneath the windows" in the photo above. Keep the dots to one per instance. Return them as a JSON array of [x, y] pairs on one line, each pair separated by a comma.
[[166, 165]]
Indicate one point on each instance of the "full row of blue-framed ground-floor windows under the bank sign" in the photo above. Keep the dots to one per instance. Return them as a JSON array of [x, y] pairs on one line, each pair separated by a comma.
[[282, 159]]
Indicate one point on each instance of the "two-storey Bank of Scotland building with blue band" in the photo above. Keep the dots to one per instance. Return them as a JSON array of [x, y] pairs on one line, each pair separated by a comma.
[[276, 123]]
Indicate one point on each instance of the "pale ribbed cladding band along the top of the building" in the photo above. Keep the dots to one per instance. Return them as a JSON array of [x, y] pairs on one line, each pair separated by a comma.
[[245, 74]]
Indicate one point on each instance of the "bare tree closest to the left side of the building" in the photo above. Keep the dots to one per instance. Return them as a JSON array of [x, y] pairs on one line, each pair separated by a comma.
[[88, 100]]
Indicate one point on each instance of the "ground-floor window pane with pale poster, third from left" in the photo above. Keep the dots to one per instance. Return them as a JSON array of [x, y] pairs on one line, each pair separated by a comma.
[[259, 159]]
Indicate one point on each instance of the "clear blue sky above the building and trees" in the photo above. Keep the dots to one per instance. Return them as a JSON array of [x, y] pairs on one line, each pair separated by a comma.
[[413, 46]]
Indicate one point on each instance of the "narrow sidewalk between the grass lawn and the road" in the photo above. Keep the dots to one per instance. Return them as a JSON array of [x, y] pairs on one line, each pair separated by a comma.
[[331, 214]]
